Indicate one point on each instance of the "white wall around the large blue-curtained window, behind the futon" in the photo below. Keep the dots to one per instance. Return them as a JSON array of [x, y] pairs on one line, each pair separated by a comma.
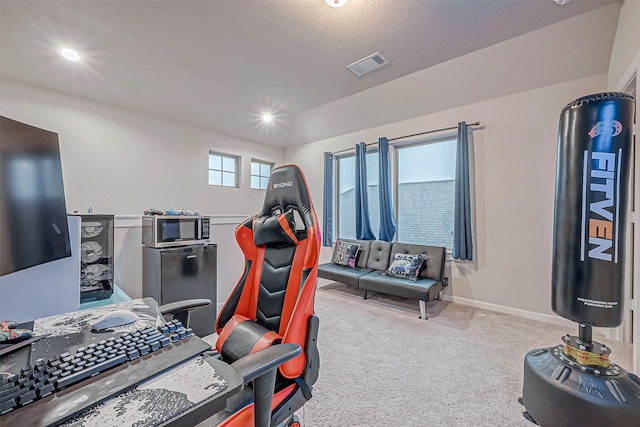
[[515, 155]]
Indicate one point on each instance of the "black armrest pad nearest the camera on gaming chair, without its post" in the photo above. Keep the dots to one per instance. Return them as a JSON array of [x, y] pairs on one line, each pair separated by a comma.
[[257, 364]]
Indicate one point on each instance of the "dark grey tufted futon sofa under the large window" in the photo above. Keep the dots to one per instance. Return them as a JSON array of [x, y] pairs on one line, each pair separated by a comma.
[[369, 270]]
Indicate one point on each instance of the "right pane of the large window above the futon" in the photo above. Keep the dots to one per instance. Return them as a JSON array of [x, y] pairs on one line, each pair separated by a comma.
[[426, 194]]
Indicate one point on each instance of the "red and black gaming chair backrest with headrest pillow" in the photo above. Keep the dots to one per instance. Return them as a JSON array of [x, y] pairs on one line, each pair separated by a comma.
[[281, 245]]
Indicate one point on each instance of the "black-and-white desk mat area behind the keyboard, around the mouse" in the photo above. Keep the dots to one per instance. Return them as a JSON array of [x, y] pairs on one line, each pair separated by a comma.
[[77, 321]]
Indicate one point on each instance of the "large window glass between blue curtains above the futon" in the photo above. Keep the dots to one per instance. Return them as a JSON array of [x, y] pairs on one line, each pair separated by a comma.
[[423, 186]]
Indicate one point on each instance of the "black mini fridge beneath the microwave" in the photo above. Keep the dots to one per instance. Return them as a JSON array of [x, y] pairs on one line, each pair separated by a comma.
[[184, 272]]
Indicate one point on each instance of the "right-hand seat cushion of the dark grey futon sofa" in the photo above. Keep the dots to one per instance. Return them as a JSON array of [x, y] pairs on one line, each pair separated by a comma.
[[422, 289]]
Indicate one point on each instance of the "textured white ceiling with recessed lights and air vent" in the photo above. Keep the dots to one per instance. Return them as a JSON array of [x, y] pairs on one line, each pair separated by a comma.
[[221, 64]]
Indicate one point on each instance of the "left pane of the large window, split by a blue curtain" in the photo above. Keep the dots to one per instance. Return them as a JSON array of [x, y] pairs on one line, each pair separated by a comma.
[[346, 205]]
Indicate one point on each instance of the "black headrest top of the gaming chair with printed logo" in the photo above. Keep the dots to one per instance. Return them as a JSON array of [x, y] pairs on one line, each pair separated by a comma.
[[288, 189]]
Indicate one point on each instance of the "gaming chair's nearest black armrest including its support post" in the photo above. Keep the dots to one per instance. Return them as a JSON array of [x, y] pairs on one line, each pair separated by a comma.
[[261, 367]]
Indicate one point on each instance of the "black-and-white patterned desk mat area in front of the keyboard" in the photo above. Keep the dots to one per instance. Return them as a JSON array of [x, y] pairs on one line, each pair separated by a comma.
[[158, 400]]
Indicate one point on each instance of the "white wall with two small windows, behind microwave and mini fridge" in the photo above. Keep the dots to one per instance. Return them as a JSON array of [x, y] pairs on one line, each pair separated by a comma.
[[122, 162]]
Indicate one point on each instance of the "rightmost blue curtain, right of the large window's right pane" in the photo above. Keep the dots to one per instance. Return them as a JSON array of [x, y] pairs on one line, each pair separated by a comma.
[[462, 239]]
